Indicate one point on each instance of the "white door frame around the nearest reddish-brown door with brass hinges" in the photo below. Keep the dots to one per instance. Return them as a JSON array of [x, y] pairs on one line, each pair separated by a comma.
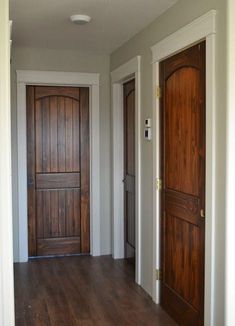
[[203, 28]]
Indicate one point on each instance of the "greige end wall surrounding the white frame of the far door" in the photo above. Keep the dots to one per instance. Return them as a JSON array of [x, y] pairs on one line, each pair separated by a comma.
[[70, 61]]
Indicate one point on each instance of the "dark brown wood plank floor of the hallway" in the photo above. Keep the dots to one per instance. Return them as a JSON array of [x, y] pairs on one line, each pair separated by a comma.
[[82, 291]]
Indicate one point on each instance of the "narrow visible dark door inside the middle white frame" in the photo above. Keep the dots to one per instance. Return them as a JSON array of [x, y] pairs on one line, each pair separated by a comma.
[[129, 167]]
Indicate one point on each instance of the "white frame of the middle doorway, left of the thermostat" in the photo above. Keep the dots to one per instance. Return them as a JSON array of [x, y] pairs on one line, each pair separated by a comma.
[[127, 71]]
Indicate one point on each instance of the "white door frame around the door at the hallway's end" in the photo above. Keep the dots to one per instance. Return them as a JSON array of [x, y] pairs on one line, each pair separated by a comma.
[[53, 78]]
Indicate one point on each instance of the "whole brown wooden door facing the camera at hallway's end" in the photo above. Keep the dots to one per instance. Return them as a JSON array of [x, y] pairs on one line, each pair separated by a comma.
[[58, 170]]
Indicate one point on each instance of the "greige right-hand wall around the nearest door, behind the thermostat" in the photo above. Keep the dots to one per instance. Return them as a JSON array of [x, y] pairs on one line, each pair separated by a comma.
[[176, 17]]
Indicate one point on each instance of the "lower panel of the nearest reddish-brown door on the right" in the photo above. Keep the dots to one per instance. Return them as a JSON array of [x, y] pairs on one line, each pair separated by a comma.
[[182, 261]]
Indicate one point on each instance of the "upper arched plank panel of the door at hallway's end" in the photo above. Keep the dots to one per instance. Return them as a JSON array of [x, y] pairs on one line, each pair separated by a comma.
[[57, 135]]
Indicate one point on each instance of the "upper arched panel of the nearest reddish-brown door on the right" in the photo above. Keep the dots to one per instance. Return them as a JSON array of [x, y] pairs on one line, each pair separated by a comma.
[[181, 132]]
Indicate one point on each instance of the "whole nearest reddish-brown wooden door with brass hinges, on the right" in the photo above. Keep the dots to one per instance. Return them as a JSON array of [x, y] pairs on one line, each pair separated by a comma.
[[183, 199]]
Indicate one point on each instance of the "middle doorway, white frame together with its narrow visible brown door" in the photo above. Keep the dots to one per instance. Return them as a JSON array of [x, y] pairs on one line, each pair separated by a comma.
[[126, 194]]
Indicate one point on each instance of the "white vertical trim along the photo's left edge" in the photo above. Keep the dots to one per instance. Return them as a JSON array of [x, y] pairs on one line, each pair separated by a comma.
[[7, 315]]
